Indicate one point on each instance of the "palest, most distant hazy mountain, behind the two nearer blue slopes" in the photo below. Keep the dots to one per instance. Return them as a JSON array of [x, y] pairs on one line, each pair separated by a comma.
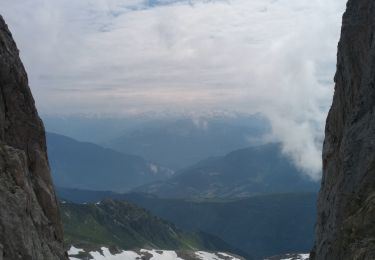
[[179, 143]]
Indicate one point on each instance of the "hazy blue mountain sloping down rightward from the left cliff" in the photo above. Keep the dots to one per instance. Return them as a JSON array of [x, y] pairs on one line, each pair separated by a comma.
[[86, 165]]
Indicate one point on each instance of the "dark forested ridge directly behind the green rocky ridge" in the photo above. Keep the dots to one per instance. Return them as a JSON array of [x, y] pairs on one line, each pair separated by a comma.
[[261, 226]]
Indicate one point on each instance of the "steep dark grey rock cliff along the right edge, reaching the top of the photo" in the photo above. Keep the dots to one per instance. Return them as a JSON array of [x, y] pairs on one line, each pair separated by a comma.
[[346, 207]]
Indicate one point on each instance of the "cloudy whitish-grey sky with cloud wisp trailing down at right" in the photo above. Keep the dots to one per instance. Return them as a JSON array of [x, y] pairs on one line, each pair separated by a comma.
[[120, 57]]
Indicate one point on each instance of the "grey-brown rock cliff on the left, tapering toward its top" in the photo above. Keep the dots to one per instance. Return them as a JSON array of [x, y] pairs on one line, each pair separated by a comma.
[[30, 225]]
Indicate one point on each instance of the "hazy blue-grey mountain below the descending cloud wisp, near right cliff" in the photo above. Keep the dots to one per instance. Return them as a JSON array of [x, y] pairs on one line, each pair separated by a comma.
[[242, 173]]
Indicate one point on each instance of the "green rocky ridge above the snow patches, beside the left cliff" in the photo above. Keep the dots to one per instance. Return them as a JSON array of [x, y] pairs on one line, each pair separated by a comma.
[[121, 224]]
